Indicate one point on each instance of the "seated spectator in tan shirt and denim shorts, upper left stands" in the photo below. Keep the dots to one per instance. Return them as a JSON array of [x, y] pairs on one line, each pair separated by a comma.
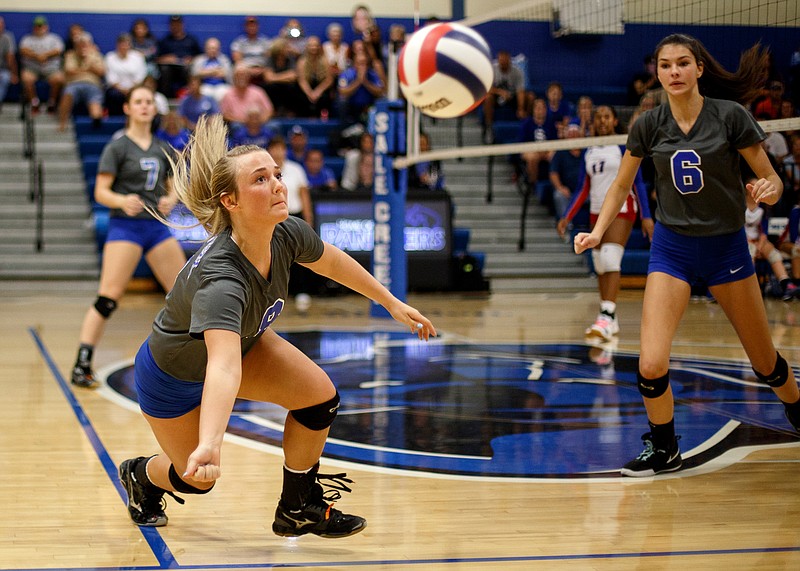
[[84, 72]]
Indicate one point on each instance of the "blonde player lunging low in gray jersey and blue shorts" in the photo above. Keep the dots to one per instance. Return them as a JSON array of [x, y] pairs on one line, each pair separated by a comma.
[[213, 341]]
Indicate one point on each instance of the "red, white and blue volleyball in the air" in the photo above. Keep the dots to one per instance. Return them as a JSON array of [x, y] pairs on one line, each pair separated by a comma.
[[445, 70]]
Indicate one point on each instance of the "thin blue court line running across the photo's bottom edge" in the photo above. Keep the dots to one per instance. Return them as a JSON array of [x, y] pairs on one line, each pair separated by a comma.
[[450, 560]]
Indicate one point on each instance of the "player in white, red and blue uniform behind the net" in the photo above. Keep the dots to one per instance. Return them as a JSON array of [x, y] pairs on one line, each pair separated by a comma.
[[601, 167]]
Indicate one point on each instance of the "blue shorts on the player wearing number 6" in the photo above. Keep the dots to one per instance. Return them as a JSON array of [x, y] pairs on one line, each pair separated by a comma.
[[709, 260]]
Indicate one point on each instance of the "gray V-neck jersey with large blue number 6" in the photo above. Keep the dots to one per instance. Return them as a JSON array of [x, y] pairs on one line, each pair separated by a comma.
[[698, 182]]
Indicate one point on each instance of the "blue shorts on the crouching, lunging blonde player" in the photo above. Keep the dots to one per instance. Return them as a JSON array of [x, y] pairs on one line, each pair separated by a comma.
[[162, 395]]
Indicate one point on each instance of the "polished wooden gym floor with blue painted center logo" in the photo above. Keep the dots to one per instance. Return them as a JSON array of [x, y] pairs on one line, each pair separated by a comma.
[[63, 507]]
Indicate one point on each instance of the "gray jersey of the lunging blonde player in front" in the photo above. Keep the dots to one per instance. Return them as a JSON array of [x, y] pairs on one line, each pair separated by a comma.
[[219, 288]]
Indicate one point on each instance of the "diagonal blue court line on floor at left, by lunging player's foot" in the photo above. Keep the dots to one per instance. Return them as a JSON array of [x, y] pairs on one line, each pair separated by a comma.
[[157, 544]]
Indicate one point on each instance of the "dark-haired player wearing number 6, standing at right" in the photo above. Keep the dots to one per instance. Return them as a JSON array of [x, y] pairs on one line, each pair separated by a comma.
[[696, 140]]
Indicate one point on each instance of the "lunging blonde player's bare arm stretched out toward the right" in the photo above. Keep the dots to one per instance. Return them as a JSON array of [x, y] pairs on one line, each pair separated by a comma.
[[339, 266]]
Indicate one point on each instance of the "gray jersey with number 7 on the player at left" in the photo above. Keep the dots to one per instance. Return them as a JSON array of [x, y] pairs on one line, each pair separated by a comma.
[[137, 171]]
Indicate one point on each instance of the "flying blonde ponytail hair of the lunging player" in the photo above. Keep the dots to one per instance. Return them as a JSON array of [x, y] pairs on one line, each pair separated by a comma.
[[206, 170]]
